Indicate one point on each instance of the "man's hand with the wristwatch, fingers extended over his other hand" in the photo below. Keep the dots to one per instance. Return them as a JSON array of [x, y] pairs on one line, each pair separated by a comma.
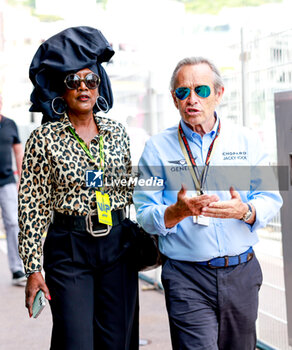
[[232, 209]]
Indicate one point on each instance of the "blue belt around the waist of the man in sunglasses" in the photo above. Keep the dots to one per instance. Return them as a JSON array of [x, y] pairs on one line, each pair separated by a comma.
[[226, 261]]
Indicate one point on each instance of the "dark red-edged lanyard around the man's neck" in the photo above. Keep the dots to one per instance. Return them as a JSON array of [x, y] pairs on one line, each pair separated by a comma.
[[198, 180]]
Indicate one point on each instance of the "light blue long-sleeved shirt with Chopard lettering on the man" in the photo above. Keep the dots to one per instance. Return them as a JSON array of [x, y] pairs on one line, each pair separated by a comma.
[[163, 159]]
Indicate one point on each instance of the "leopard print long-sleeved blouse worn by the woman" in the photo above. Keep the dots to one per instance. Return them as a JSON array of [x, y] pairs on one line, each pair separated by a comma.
[[53, 178]]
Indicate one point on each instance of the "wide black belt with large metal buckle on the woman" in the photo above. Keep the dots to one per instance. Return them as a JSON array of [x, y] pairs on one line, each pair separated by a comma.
[[88, 223]]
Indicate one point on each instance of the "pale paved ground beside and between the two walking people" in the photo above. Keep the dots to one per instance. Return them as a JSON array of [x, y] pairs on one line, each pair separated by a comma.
[[19, 332]]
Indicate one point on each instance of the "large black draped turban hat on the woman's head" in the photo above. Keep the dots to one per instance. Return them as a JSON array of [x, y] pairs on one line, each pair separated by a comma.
[[69, 51]]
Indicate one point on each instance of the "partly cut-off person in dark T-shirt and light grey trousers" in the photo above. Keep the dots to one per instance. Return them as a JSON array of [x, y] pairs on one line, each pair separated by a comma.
[[9, 140]]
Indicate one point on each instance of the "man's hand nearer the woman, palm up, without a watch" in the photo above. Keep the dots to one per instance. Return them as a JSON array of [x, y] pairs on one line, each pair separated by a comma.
[[186, 206]]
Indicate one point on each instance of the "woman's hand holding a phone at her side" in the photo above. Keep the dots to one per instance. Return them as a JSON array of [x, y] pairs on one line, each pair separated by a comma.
[[34, 283]]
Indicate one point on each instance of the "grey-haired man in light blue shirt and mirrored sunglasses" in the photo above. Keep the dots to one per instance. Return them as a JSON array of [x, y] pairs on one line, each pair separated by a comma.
[[206, 229]]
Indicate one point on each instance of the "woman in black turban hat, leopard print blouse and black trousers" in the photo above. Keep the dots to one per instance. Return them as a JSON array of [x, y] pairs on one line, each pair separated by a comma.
[[90, 281]]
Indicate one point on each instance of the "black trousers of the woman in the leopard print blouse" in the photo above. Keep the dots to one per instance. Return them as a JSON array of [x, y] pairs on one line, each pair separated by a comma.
[[94, 290]]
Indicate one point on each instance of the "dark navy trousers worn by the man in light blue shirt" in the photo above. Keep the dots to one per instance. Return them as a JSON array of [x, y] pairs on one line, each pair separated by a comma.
[[212, 309]]
